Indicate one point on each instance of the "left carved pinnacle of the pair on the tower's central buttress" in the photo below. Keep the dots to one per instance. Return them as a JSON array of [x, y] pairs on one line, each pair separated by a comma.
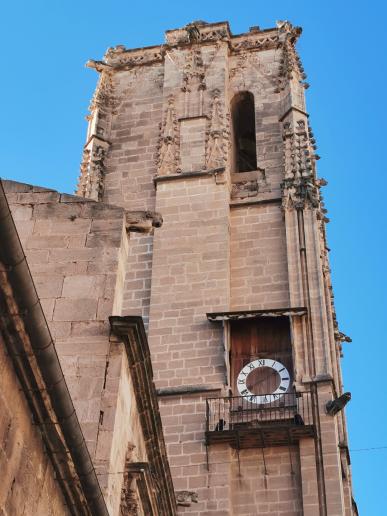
[[169, 144]]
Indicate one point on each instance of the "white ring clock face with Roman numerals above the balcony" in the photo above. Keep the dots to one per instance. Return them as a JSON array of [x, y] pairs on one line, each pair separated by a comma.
[[278, 369]]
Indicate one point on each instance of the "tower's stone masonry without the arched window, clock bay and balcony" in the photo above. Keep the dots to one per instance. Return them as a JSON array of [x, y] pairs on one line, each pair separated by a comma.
[[222, 246]]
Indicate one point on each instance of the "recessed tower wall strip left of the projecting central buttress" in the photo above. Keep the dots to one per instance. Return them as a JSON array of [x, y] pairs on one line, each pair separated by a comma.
[[131, 166]]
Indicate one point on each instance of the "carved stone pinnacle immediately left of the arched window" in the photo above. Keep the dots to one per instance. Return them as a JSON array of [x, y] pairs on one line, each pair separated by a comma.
[[217, 135]]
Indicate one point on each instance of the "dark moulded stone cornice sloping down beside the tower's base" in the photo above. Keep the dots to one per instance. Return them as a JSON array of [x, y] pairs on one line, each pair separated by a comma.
[[130, 329]]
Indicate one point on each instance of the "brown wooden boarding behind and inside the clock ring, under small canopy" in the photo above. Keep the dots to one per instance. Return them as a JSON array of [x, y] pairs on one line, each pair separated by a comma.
[[264, 337]]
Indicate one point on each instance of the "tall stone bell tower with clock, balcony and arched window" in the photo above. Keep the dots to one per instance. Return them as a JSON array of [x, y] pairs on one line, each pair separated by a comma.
[[210, 129]]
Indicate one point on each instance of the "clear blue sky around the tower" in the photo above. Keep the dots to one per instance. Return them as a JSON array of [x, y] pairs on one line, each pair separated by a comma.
[[46, 91]]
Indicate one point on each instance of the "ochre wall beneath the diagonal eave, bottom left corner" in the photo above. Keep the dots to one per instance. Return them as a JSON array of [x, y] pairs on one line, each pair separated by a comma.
[[28, 484]]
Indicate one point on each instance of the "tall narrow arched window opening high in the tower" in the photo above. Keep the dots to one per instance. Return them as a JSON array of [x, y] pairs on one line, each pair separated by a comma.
[[243, 124]]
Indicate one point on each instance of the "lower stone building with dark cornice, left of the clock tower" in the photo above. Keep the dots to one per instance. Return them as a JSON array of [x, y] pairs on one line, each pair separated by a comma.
[[77, 253]]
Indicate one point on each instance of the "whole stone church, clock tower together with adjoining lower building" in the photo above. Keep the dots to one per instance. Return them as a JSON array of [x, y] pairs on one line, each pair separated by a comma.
[[198, 211]]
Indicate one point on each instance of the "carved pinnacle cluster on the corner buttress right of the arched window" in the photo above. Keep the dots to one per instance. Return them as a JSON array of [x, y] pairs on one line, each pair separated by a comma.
[[299, 187]]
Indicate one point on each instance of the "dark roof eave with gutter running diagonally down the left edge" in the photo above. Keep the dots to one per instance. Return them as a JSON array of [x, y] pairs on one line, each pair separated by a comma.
[[30, 346]]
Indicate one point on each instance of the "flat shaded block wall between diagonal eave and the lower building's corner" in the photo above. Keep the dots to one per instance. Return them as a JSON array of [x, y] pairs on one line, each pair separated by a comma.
[[73, 250]]
